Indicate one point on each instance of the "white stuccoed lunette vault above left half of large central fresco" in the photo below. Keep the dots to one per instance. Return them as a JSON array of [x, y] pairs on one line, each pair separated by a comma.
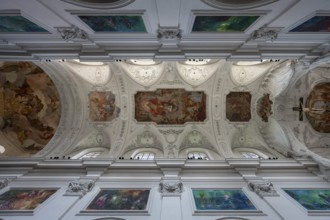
[[143, 72]]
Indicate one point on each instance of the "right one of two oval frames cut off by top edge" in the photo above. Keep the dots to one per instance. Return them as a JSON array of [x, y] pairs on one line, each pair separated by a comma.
[[238, 4]]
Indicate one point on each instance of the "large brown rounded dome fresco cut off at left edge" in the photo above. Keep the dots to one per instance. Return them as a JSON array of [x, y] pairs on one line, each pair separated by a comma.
[[30, 108]]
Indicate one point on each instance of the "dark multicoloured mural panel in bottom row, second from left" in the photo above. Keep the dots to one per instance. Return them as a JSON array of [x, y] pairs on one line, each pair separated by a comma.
[[120, 199]]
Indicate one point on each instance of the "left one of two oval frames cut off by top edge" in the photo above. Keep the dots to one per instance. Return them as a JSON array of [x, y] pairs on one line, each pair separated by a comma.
[[101, 4]]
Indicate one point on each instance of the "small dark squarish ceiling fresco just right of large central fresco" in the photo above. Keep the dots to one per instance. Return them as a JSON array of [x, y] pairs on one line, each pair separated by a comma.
[[238, 106]]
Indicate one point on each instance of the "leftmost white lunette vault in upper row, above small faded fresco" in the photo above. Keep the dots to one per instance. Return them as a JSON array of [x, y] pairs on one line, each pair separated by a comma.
[[95, 73]]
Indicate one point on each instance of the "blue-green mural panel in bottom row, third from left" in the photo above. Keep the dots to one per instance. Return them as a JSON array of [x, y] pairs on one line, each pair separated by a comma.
[[221, 199]]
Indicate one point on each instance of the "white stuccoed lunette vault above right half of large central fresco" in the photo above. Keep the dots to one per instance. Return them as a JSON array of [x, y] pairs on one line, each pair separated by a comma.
[[198, 72]]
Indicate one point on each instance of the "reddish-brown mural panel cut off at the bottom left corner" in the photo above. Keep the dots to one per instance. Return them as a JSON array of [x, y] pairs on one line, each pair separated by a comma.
[[24, 199]]
